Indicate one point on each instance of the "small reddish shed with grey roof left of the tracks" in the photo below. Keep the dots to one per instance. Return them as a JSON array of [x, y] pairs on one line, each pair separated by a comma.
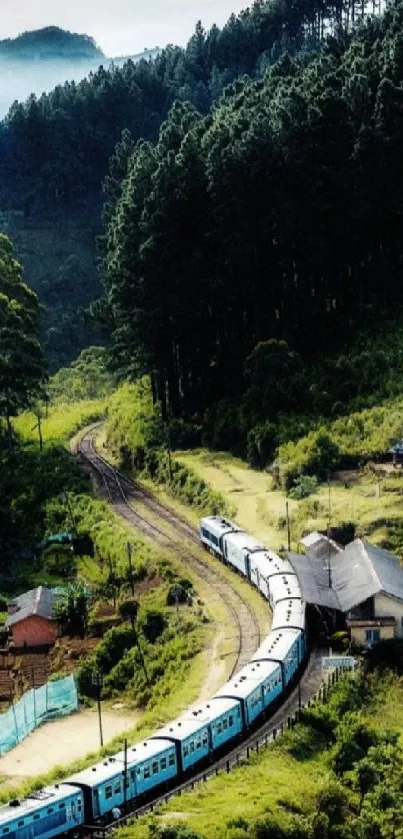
[[31, 621]]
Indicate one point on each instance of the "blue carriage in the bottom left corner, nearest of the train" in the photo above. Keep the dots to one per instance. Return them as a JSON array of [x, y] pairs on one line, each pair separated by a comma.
[[46, 813]]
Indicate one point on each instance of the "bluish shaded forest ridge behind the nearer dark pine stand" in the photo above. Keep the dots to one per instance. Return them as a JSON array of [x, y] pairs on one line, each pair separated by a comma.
[[55, 149]]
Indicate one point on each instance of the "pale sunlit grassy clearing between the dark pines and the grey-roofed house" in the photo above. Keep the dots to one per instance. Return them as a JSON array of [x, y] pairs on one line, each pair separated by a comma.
[[360, 498]]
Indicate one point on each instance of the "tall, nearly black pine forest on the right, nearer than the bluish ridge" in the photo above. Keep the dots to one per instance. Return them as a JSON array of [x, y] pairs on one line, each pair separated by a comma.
[[245, 248]]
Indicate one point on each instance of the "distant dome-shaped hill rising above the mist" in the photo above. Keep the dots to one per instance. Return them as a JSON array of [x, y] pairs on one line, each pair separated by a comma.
[[49, 43]]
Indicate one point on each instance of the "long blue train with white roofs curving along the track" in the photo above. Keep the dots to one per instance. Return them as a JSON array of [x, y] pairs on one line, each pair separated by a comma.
[[180, 748]]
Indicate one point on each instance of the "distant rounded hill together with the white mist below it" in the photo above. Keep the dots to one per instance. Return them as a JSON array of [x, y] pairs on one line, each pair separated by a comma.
[[37, 61]]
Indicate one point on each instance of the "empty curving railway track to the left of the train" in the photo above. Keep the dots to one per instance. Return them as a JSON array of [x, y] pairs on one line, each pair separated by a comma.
[[121, 490]]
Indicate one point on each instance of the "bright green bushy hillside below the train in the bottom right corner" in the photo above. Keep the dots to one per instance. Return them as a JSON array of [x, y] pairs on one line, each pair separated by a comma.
[[337, 775]]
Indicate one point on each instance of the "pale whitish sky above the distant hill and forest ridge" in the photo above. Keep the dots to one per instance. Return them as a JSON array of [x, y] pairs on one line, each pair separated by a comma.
[[120, 27]]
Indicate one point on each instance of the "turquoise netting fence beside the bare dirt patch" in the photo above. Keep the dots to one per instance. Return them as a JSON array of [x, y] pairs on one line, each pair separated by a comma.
[[52, 700]]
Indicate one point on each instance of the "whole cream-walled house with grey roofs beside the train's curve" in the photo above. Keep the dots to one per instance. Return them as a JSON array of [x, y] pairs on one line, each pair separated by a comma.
[[361, 582]]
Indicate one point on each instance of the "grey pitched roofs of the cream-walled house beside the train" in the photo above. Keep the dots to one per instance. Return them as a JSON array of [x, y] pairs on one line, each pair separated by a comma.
[[357, 573]]
